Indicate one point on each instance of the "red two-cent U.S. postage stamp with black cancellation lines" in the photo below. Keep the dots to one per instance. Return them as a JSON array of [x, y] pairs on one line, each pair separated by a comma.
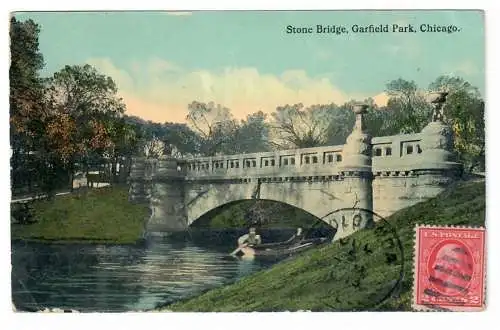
[[449, 269]]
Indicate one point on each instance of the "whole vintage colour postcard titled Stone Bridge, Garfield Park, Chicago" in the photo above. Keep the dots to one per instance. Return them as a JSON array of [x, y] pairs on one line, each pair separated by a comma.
[[248, 161]]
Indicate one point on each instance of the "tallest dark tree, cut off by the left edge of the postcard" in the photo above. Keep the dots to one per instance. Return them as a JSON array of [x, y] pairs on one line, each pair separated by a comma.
[[27, 102]]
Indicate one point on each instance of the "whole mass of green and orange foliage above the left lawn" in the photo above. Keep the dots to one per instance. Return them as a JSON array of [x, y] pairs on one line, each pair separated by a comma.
[[73, 116]]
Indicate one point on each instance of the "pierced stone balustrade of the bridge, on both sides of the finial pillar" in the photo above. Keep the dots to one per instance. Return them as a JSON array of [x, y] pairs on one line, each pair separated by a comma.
[[389, 153]]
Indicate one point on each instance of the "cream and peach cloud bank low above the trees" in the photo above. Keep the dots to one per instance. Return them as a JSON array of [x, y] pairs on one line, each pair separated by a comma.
[[160, 90]]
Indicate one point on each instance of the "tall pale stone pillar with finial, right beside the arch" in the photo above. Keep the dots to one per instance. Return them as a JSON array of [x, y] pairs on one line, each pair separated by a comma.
[[356, 169]]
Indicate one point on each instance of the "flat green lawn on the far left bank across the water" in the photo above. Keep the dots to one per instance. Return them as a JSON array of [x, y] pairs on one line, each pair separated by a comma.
[[100, 215]]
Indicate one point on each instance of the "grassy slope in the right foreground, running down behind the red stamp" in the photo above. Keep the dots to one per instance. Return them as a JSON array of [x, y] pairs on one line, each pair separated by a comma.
[[360, 273]]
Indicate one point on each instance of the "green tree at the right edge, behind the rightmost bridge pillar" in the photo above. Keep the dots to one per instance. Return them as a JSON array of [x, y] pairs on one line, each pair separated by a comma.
[[464, 110]]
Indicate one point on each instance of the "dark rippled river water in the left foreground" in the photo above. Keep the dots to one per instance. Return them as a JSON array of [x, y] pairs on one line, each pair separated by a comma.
[[117, 278]]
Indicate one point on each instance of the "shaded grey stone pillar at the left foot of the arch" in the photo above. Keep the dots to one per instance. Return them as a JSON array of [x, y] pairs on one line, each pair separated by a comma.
[[167, 197]]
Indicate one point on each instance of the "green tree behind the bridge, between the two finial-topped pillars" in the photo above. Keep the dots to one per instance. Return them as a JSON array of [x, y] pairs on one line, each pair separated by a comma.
[[409, 110]]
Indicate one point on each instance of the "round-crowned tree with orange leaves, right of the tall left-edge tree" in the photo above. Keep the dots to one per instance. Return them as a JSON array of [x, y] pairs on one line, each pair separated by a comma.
[[88, 101]]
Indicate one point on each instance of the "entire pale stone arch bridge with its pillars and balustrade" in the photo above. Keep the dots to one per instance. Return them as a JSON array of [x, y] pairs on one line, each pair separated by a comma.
[[383, 174]]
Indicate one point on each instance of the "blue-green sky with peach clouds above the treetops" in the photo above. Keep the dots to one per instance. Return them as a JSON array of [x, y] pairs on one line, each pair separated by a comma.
[[162, 61]]
